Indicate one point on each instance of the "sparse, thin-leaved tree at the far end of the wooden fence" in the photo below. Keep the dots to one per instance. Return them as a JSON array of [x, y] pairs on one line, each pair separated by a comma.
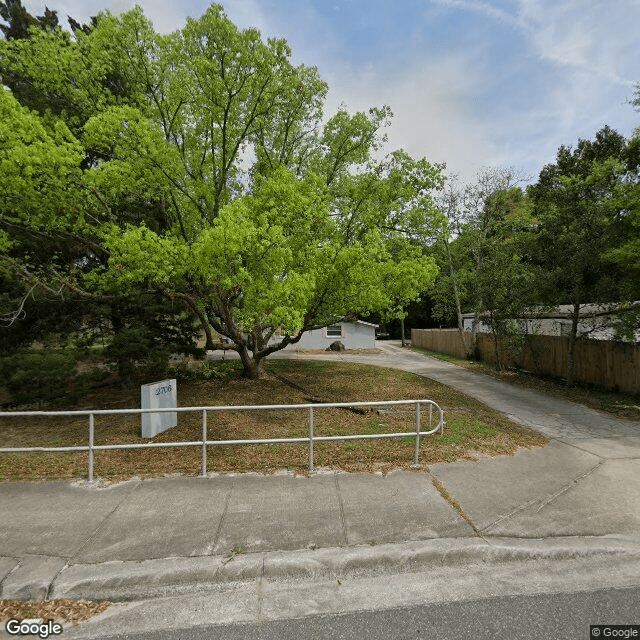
[[478, 246]]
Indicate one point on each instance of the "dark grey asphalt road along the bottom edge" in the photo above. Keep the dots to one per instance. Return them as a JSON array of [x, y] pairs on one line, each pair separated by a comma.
[[562, 616]]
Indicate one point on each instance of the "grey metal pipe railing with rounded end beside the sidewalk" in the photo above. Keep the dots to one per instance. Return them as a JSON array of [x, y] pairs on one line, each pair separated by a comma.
[[204, 443]]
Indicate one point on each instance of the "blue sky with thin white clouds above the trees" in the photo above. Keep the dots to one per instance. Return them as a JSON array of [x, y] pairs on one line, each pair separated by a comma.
[[471, 83]]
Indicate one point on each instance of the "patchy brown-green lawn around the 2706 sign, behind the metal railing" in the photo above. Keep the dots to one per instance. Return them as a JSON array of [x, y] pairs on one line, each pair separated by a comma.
[[472, 430]]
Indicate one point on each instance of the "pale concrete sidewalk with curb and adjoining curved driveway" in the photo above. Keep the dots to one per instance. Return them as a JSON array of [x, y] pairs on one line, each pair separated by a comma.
[[578, 496]]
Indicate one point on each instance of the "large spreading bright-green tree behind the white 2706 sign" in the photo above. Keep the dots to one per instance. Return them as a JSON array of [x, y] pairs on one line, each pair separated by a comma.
[[196, 166]]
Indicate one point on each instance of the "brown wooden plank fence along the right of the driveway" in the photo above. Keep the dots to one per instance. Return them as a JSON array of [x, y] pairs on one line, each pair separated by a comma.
[[612, 365]]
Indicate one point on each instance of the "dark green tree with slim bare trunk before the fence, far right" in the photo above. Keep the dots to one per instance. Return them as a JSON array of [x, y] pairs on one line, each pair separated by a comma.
[[580, 204]]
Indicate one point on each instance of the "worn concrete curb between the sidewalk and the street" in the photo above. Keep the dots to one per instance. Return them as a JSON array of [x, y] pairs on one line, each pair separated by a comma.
[[121, 581]]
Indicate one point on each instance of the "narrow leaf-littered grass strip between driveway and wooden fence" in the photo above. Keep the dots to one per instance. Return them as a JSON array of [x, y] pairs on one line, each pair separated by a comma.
[[621, 405]]
